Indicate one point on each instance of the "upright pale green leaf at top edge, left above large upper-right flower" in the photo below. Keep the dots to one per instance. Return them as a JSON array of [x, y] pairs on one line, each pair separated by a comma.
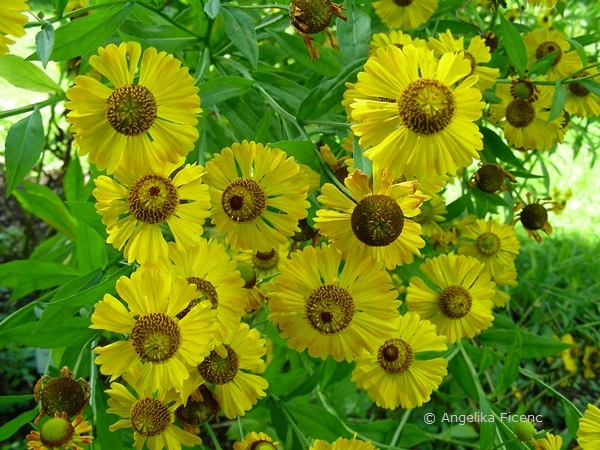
[[354, 34]]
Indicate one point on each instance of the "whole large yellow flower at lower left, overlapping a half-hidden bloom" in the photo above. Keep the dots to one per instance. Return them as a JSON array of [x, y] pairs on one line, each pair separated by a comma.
[[157, 339]]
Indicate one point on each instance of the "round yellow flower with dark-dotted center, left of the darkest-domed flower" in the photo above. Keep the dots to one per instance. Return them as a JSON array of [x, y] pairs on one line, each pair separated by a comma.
[[258, 195]]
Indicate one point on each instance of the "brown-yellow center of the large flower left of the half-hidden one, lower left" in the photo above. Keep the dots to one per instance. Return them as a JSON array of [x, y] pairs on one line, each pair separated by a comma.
[[155, 337]]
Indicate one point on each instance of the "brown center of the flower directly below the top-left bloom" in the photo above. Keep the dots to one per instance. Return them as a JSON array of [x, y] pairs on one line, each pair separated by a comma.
[[152, 199]]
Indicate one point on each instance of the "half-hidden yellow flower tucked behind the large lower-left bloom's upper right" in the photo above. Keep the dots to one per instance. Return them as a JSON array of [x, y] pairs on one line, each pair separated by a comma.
[[209, 268]]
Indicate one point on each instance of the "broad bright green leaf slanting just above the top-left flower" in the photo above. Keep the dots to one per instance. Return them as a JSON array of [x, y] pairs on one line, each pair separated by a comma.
[[87, 33]]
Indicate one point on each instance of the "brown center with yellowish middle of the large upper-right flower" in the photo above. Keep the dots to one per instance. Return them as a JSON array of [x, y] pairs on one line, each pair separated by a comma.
[[426, 107]]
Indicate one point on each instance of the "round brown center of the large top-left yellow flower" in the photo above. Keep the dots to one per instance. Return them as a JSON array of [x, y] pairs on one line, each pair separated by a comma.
[[131, 110]]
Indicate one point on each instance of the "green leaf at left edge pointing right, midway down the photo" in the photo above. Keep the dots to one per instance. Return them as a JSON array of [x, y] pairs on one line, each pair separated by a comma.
[[29, 276]]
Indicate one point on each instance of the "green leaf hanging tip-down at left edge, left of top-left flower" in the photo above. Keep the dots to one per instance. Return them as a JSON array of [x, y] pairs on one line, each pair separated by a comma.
[[24, 145]]
